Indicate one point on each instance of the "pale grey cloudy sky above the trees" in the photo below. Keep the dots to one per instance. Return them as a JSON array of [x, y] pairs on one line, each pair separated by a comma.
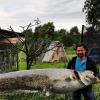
[[63, 13]]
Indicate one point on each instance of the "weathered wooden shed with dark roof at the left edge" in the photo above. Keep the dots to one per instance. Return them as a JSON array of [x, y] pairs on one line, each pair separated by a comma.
[[8, 53]]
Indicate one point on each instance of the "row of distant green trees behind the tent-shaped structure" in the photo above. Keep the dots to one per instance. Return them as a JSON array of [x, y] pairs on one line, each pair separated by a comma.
[[67, 38]]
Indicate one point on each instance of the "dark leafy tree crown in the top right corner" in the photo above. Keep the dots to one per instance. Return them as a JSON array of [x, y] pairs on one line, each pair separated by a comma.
[[92, 11]]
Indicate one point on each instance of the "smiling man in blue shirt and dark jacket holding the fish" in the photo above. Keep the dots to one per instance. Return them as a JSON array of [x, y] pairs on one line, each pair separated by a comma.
[[82, 62]]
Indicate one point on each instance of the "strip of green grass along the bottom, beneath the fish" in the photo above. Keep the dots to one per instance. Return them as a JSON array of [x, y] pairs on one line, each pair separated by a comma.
[[37, 96]]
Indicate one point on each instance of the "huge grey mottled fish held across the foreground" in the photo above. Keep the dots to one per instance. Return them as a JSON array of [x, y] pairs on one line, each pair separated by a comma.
[[59, 80]]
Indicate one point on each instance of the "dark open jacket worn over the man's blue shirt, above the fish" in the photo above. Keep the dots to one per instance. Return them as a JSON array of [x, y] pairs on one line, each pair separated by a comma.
[[90, 65]]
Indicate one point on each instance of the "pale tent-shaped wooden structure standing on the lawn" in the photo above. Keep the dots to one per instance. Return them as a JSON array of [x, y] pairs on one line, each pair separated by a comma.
[[56, 52]]
